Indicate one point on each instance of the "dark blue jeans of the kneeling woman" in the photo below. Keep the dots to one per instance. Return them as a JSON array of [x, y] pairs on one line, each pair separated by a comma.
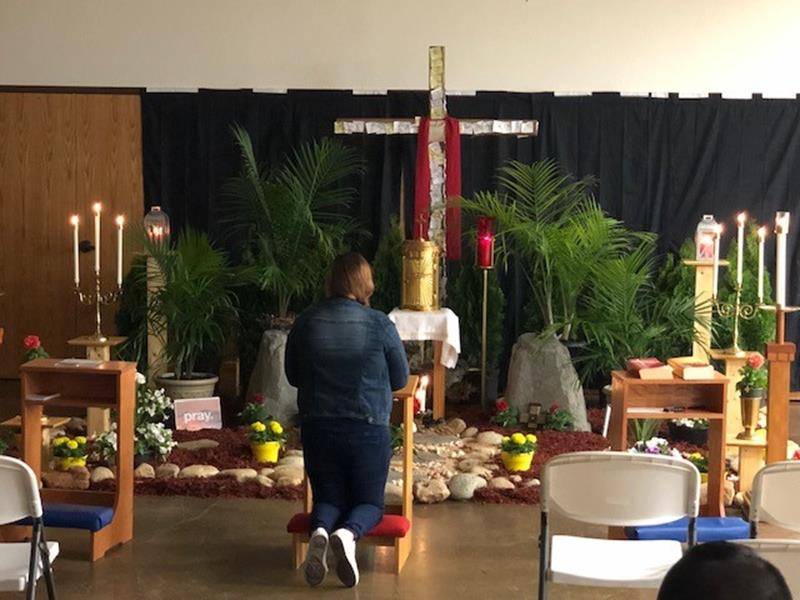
[[347, 461]]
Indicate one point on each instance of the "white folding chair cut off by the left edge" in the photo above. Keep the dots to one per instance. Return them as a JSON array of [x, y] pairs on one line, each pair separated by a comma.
[[21, 564]]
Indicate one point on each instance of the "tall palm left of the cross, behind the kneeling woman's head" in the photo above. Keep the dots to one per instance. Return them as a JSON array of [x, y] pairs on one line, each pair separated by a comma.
[[291, 222]]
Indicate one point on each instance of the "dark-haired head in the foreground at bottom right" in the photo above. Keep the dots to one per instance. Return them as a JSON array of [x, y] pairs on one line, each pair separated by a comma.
[[723, 571]]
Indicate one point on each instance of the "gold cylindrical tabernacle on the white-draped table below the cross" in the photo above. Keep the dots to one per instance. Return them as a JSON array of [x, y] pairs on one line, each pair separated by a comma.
[[420, 275]]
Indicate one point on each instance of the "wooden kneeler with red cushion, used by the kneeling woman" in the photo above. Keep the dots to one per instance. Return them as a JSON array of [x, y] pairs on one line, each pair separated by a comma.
[[402, 545]]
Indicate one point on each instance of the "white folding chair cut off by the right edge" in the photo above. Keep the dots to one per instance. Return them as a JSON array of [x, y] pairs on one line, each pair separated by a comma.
[[774, 500]]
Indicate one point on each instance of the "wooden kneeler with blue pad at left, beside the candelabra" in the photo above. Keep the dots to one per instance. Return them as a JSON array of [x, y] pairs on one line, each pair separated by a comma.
[[109, 385]]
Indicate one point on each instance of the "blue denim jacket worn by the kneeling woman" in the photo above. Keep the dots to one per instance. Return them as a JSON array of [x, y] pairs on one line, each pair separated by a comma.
[[345, 359]]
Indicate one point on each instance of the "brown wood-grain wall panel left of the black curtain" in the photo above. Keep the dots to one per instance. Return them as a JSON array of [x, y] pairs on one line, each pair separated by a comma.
[[58, 153]]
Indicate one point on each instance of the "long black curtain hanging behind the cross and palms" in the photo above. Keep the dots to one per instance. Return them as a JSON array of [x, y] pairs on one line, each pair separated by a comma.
[[661, 162]]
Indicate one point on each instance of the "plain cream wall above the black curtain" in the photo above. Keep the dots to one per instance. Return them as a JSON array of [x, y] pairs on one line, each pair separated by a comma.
[[689, 46]]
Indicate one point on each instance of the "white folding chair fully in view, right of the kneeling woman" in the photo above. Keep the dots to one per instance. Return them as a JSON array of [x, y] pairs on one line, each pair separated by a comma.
[[614, 489]]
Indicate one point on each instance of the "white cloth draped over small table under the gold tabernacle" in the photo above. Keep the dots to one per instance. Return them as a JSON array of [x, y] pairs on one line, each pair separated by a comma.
[[437, 325]]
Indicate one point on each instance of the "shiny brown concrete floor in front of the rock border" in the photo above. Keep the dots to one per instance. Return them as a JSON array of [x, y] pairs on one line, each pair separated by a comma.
[[198, 549]]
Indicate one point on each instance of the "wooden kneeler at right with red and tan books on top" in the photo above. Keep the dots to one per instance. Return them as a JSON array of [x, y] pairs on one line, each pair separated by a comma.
[[676, 398]]
